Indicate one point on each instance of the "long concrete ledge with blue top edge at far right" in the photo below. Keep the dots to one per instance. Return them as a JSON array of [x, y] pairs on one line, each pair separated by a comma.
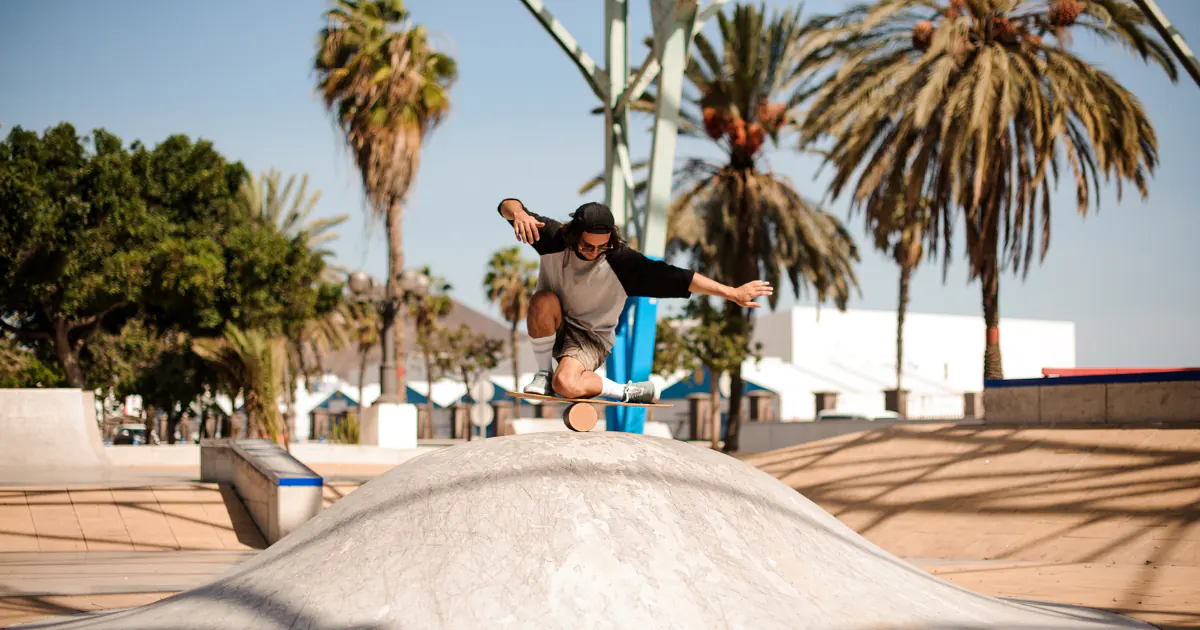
[[1124, 398]]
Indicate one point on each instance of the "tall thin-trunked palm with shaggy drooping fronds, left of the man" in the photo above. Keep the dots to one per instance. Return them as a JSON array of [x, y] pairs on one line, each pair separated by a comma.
[[387, 89]]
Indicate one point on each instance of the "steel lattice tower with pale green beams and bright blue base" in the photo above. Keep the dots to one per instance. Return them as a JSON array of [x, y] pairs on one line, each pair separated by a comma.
[[674, 22]]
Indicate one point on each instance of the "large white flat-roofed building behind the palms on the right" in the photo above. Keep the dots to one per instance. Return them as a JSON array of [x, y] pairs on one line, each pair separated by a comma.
[[854, 353]]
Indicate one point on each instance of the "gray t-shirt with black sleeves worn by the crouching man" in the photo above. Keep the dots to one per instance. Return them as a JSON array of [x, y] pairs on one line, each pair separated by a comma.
[[593, 293]]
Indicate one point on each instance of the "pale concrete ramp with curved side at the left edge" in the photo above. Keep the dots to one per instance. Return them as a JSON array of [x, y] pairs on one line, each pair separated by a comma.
[[50, 429]]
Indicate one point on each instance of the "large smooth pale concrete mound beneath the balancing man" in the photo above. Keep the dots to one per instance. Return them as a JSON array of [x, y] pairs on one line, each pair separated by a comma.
[[581, 531]]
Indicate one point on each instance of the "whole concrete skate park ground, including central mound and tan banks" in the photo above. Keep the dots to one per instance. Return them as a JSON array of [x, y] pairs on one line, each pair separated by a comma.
[[1019, 524]]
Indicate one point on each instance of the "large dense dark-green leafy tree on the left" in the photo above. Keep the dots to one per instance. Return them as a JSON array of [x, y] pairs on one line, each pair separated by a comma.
[[113, 261]]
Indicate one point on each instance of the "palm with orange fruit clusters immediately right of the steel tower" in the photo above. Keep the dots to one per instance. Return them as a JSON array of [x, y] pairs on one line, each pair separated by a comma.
[[736, 218]]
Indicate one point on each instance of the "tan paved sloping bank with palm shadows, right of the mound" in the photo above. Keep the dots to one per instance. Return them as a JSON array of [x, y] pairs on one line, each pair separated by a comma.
[[1107, 518]]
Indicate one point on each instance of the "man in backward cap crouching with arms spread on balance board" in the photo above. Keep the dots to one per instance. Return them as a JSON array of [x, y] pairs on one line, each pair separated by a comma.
[[586, 274]]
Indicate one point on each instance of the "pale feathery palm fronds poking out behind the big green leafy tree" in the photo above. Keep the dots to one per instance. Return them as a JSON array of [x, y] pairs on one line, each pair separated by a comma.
[[289, 212]]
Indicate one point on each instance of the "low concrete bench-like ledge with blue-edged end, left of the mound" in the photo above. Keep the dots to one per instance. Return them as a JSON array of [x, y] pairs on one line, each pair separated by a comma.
[[279, 493]]
